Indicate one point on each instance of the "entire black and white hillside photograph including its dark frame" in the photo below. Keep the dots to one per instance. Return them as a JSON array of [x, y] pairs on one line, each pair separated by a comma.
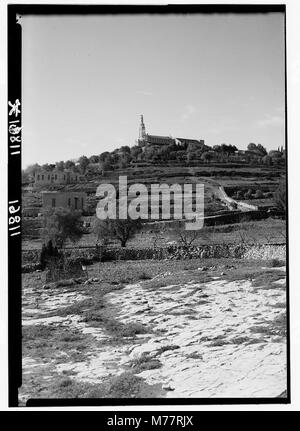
[[152, 223]]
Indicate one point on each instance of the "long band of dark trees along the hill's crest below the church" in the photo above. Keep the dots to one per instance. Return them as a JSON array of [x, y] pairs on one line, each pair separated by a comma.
[[186, 153]]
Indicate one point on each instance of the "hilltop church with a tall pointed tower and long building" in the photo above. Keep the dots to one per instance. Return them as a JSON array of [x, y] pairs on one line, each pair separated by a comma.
[[146, 140]]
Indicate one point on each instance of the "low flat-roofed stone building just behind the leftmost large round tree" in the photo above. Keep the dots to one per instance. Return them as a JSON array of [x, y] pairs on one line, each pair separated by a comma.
[[64, 199]]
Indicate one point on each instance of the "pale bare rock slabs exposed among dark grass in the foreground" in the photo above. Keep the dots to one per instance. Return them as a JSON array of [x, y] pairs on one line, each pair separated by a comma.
[[214, 339]]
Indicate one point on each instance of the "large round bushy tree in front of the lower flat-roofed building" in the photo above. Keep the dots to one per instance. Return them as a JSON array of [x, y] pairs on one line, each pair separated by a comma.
[[60, 224]]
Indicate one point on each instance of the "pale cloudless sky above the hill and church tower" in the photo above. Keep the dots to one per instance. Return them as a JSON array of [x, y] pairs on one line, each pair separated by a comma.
[[87, 79]]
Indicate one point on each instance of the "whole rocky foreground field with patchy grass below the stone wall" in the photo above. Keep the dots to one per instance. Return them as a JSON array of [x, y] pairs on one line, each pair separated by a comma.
[[202, 328]]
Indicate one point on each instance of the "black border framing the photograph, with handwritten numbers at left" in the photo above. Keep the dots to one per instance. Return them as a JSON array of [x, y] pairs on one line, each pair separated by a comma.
[[14, 57]]
